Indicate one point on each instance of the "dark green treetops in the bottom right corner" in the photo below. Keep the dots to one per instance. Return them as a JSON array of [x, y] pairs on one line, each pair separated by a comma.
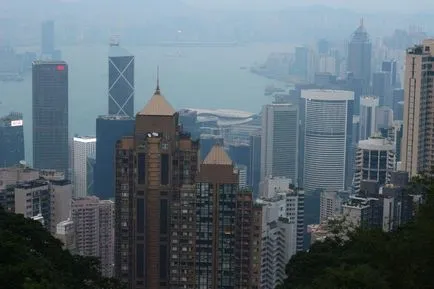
[[371, 258]]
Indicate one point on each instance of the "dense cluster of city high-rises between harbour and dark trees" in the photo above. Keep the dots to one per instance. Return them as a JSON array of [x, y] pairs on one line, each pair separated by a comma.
[[202, 198]]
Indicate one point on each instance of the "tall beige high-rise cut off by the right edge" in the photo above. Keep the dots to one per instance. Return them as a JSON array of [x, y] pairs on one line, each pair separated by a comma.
[[416, 148]]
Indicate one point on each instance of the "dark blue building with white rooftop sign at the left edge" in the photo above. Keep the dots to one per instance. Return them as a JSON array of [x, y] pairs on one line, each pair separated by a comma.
[[11, 140]]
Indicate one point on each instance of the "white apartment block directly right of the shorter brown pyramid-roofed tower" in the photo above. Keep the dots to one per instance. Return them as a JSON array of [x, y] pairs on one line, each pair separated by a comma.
[[282, 228]]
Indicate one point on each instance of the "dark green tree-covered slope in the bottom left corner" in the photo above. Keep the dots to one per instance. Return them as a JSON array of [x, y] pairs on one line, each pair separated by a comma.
[[30, 258]]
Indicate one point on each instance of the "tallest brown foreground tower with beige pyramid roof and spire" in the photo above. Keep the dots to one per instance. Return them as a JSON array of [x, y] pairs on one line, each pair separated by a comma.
[[155, 195]]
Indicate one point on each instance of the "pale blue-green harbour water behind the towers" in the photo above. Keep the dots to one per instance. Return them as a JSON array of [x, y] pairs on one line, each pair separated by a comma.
[[190, 77]]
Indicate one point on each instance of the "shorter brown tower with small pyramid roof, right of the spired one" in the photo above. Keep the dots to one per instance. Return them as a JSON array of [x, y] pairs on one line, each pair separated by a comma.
[[225, 242]]
